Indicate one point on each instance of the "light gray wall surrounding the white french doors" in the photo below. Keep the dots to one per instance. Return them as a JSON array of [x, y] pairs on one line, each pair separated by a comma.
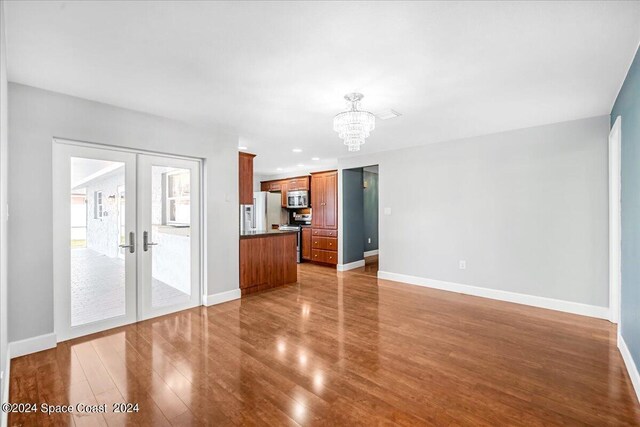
[[36, 117]]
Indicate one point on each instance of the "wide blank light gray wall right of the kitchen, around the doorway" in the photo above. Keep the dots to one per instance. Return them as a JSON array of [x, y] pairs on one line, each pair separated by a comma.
[[526, 210]]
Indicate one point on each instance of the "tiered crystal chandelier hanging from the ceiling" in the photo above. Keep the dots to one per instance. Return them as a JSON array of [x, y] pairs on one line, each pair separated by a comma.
[[354, 125]]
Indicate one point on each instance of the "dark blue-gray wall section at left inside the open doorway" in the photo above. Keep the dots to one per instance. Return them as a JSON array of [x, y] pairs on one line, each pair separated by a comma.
[[352, 201]]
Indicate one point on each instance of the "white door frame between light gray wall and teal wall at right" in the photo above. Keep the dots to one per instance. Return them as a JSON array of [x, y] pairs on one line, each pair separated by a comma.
[[615, 222]]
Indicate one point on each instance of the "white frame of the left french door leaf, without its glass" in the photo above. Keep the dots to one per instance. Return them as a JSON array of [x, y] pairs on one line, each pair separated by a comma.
[[62, 154]]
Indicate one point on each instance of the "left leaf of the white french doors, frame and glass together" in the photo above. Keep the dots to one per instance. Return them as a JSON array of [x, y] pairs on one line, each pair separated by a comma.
[[94, 276]]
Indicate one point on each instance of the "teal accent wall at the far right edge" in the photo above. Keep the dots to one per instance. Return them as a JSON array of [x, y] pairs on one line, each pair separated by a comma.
[[627, 106]]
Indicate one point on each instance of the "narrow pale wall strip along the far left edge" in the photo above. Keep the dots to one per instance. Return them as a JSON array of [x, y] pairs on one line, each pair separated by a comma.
[[3, 200]]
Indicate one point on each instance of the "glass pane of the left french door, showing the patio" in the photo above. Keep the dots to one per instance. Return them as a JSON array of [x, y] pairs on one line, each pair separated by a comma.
[[97, 271]]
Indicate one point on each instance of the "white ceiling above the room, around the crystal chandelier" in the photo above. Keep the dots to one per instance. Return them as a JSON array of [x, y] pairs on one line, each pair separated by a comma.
[[276, 72]]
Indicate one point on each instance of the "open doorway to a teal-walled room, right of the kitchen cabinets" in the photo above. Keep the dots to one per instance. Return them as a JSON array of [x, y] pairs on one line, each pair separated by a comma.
[[360, 195]]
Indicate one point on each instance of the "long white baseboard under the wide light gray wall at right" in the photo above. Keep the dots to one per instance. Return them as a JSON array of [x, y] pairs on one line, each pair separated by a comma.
[[535, 301]]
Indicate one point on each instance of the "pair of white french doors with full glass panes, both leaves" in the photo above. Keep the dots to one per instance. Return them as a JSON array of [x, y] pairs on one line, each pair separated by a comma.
[[126, 237]]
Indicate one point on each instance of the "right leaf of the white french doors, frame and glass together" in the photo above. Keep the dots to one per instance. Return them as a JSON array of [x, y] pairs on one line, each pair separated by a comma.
[[169, 218]]
